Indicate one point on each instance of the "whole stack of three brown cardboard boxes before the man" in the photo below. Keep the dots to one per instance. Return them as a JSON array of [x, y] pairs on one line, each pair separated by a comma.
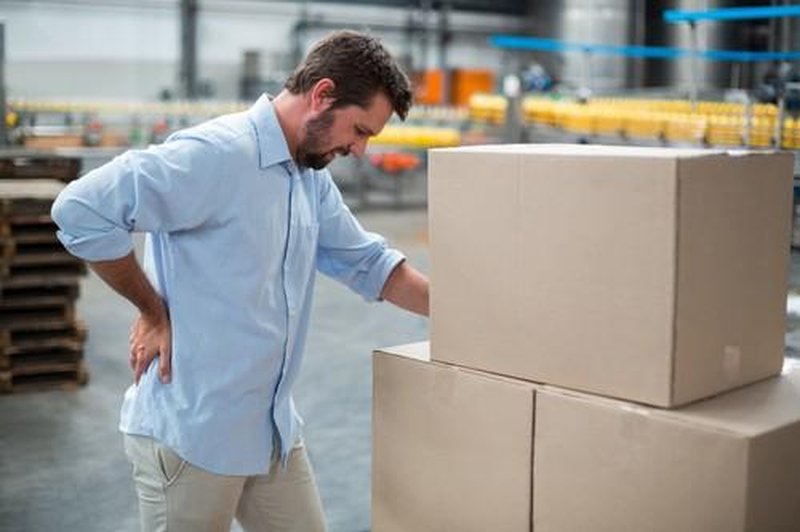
[[607, 326]]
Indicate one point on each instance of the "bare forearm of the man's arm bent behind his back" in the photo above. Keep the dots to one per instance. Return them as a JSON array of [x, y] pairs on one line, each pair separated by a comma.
[[126, 277]]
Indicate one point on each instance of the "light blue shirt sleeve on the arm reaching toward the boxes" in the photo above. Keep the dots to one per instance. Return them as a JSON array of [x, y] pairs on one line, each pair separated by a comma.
[[346, 252]]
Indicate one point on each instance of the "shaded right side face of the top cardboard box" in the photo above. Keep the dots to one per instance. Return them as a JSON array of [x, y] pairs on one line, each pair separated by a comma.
[[735, 216]]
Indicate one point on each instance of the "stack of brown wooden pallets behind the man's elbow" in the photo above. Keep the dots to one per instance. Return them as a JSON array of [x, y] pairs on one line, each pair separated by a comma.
[[41, 340]]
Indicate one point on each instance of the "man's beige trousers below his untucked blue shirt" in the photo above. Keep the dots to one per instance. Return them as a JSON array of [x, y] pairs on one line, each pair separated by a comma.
[[176, 496]]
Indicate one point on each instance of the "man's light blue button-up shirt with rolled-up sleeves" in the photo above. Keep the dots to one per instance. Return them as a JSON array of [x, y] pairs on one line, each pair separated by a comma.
[[235, 232]]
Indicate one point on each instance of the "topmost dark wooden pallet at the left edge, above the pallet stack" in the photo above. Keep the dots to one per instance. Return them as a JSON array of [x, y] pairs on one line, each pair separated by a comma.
[[32, 164]]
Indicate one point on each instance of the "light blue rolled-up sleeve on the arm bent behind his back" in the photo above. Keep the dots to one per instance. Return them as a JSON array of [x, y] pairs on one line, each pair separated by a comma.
[[163, 188]]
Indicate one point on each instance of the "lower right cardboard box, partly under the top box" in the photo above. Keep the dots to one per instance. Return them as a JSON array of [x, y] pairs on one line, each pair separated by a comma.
[[727, 464]]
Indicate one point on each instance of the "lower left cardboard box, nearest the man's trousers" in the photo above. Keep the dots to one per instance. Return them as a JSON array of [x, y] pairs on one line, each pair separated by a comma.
[[451, 447]]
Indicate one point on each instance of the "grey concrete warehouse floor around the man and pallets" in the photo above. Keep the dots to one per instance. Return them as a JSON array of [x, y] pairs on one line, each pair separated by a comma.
[[61, 460]]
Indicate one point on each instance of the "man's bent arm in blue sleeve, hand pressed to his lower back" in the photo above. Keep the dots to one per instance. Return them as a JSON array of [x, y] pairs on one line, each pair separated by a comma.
[[162, 189]]
